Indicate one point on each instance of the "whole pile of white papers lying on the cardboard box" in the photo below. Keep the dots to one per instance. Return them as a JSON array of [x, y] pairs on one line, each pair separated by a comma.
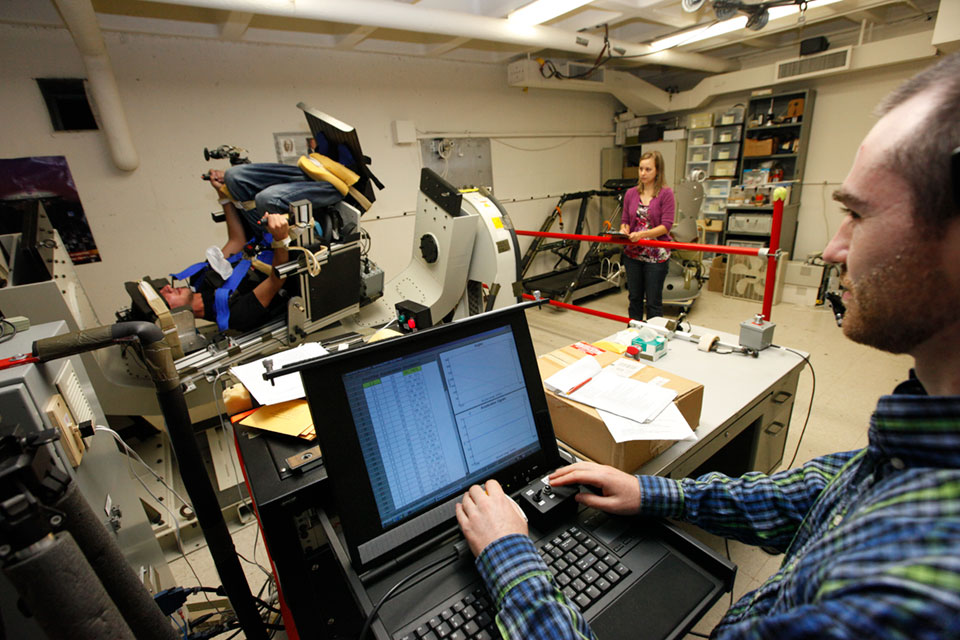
[[631, 410]]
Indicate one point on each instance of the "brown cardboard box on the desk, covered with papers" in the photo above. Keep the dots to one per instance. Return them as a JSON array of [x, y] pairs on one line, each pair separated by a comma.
[[581, 428]]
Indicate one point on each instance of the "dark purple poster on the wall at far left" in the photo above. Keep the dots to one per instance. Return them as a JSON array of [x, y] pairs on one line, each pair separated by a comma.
[[47, 179]]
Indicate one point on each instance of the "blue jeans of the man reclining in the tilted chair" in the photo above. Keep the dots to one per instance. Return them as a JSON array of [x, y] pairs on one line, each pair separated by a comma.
[[273, 187]]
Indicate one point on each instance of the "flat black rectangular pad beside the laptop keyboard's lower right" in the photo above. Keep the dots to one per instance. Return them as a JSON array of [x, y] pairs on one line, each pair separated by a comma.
[[656, 605]]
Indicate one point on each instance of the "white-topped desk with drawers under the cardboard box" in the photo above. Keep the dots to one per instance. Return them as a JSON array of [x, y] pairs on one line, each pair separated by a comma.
[[747, 403]]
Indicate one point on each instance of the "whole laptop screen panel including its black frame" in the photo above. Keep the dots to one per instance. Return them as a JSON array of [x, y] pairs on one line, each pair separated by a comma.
[[407, 425]]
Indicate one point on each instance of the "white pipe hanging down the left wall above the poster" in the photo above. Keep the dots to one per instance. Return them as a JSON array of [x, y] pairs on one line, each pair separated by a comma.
[[82, 24]]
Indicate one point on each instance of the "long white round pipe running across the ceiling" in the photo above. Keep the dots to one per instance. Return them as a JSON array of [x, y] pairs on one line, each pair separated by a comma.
[[397, 15]]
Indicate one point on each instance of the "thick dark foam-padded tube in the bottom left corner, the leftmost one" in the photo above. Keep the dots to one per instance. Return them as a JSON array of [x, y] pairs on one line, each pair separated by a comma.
[[64, 595]]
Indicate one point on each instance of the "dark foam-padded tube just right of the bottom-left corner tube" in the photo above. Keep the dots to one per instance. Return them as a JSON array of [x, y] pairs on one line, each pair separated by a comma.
[[134, 602]]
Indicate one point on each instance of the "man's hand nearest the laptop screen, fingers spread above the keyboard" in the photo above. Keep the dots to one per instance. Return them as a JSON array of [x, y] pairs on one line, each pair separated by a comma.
[[485, 516]]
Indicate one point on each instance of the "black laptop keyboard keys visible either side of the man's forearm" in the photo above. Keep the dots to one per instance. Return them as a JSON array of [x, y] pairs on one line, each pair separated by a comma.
[[583, 568]]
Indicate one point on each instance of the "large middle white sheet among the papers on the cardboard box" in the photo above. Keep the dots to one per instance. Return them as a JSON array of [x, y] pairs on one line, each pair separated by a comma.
[[624, 396]]
